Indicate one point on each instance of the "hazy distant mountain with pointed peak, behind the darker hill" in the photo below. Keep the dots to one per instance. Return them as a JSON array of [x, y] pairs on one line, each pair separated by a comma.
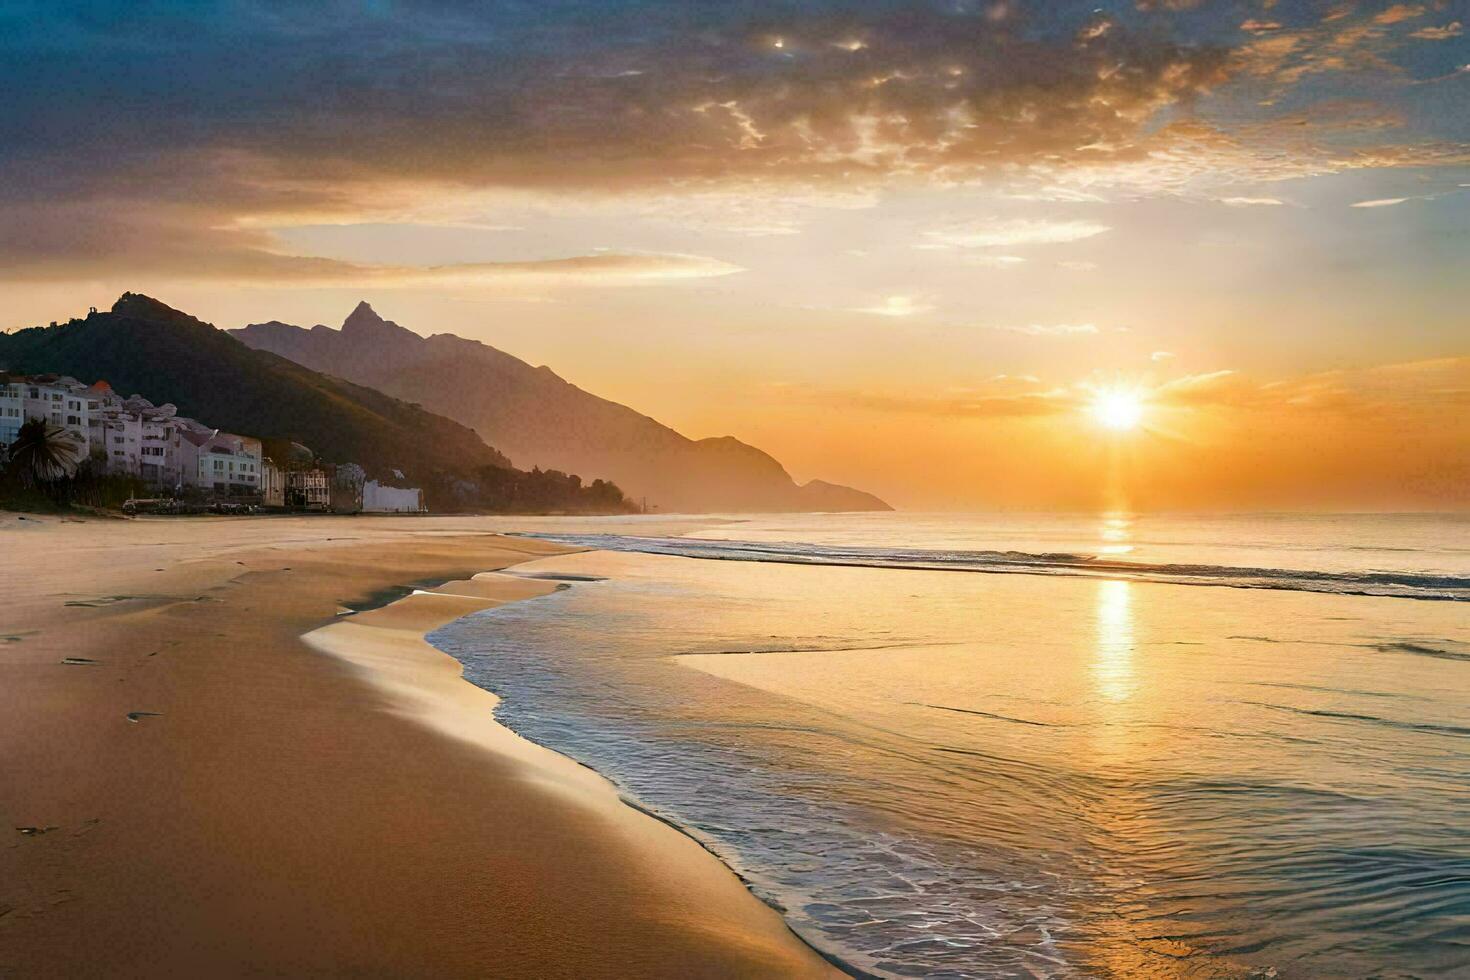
[[539, 419]]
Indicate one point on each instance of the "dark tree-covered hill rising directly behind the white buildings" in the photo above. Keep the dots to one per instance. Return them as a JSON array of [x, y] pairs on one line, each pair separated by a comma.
[[146, 347]]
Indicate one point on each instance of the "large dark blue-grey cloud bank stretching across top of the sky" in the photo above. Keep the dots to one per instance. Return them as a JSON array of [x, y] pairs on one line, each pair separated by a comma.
[[168, 124]]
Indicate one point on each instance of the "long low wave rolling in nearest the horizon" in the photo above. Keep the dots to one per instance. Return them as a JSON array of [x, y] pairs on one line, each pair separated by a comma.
[[1409, 586]]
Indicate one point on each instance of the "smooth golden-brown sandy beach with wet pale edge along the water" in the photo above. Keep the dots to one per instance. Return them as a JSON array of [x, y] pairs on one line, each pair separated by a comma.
[[209, 769]]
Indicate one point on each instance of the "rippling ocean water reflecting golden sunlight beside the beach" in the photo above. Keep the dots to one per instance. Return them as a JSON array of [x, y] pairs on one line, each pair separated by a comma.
[[1034, 746]]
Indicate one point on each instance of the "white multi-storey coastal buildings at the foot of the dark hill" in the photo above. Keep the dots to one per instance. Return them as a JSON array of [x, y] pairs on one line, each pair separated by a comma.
[[186, 462]]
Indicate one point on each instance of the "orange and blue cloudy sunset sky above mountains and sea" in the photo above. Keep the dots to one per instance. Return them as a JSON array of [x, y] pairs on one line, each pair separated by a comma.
[[900, 246]]
